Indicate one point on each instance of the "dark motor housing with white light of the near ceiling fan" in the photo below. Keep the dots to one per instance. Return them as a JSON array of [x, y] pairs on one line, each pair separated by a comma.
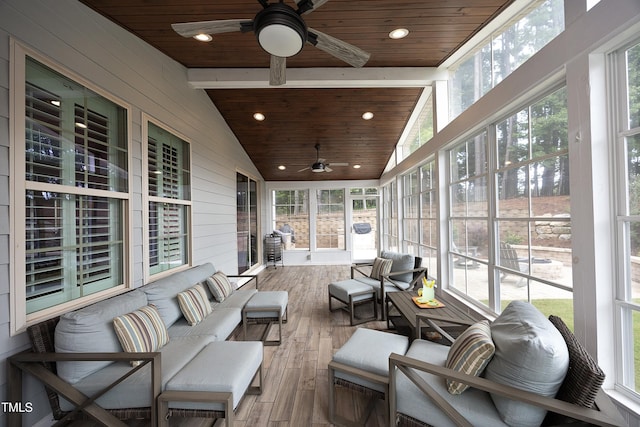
[[280, 30]]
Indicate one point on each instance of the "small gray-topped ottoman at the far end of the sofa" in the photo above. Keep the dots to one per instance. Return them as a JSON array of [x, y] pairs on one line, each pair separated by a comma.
[[266, 307]]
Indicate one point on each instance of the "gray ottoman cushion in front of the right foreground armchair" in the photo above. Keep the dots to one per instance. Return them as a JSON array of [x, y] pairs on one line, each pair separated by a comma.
[[369, 350]]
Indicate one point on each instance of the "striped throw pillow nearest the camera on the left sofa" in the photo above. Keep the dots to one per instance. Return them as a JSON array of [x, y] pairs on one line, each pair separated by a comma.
[[141, 331]]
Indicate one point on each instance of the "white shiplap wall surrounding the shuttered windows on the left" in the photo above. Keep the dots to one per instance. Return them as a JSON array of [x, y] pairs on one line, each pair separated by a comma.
[[119, 63]]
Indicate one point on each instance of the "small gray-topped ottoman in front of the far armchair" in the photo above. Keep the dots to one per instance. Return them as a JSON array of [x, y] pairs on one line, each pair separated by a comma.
[[352, 293]]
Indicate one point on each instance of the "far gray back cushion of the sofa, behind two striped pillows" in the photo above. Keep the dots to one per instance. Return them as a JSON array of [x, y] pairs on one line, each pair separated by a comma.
[[163, 292]]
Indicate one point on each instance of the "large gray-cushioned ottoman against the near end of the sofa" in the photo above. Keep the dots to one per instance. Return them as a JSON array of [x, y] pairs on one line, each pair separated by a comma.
[[214, 381]]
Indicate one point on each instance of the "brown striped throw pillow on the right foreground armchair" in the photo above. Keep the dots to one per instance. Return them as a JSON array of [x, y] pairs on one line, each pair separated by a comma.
[[470, 353]]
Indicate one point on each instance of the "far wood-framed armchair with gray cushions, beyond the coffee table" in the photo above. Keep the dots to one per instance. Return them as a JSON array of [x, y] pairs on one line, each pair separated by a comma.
[[406, 272]]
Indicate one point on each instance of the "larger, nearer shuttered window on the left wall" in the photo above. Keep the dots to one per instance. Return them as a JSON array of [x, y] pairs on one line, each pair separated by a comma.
[[75, 187]]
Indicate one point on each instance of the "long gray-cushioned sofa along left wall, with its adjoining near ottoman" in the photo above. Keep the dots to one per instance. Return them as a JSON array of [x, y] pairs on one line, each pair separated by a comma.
[[80, 359]]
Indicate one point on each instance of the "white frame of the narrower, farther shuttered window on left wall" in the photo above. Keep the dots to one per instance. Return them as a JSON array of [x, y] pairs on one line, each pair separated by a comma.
[[147, 198]]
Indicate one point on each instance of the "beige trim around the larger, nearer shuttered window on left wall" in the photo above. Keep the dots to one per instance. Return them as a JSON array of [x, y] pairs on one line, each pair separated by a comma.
[[19, 318]]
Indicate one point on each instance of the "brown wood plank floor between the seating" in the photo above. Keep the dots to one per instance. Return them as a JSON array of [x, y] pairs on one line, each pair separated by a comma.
[[295, 392]]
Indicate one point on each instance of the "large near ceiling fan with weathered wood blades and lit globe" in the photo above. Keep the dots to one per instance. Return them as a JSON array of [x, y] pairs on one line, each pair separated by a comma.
[[281, 32]]
